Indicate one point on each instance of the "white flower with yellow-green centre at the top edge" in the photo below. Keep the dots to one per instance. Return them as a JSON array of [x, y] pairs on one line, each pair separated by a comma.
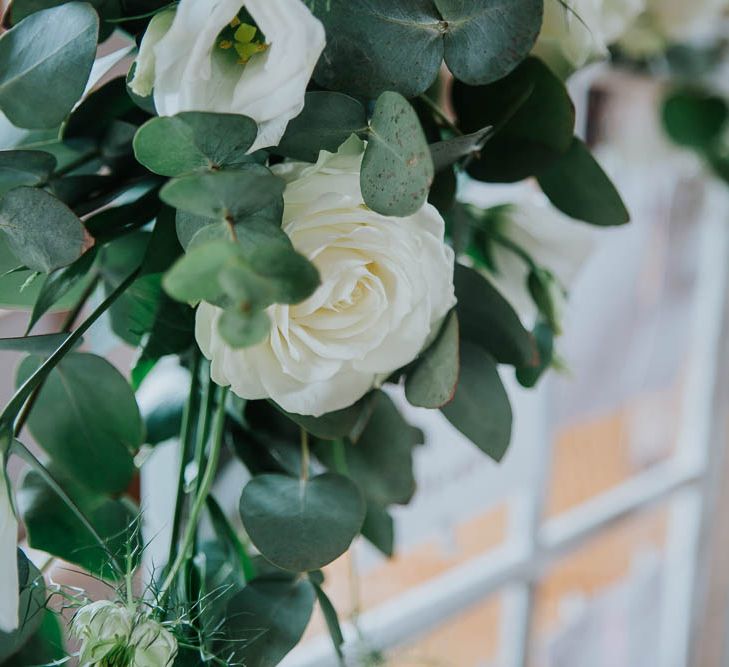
[[201, 63]]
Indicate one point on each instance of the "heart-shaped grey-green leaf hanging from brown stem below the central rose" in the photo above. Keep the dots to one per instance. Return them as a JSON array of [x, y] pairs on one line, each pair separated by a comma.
[[302, 525]]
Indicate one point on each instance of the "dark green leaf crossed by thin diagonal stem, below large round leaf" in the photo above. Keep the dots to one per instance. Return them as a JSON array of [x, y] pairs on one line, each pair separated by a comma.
[[54, 528]]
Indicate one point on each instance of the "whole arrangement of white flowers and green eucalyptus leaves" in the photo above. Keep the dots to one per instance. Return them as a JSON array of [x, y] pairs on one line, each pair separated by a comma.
[[278, 195]]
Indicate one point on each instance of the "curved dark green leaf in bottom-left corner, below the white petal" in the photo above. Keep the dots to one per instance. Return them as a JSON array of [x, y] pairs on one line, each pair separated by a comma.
[[31, 608]]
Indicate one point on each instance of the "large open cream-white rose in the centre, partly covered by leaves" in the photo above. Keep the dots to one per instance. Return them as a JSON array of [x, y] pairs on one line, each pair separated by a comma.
[[386, 285]]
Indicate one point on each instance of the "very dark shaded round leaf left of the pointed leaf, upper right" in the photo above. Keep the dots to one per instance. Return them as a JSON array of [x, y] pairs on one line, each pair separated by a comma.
[[532, 113]]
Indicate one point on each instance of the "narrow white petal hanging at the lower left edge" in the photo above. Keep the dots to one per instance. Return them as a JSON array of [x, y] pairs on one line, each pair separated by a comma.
[[9, 586]]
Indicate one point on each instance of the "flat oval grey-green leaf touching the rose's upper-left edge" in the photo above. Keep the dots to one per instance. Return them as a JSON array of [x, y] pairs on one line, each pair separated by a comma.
[[225, 194]]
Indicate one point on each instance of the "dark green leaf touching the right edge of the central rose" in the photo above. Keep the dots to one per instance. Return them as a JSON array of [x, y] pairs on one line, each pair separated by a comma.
[[488, 320]]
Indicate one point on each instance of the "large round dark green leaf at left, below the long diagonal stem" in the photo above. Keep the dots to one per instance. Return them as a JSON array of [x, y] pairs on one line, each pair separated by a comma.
[[87, 419]]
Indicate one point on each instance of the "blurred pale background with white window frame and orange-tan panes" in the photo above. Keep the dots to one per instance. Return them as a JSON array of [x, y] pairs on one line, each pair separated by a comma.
[[603, 538]]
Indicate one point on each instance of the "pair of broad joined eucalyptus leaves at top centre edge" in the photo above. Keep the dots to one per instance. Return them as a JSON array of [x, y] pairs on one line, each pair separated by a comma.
[[378, 45]]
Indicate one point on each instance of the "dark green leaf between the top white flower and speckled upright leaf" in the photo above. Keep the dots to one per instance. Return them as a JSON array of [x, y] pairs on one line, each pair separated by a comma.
[[327, 121]]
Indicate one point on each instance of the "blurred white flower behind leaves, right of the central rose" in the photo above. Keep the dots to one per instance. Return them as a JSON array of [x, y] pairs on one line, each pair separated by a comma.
[[554, 241]]
